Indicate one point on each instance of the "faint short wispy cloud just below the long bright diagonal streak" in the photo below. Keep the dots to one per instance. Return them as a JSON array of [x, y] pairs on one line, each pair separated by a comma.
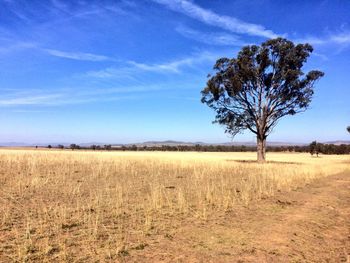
[[217, 38]]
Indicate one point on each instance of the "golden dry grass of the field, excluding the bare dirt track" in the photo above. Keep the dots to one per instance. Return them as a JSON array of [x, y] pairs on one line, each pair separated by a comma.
[[80, 206]]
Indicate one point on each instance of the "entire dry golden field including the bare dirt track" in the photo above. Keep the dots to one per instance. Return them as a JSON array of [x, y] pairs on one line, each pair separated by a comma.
[[80, 206]]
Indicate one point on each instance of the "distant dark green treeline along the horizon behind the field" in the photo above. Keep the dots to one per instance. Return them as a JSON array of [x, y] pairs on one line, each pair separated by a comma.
[[320, 148]]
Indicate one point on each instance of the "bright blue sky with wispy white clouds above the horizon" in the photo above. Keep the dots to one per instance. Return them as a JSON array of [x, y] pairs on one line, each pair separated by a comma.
[[130, 71]]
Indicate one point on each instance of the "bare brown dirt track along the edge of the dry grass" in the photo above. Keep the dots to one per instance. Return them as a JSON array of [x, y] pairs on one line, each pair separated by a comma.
[[310, 224]]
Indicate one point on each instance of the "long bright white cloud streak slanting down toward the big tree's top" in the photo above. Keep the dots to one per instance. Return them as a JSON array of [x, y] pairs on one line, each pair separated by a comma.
[[211, 18]]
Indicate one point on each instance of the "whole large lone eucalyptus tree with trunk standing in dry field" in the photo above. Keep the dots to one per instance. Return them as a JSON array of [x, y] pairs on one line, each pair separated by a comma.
[[260, 86]]
